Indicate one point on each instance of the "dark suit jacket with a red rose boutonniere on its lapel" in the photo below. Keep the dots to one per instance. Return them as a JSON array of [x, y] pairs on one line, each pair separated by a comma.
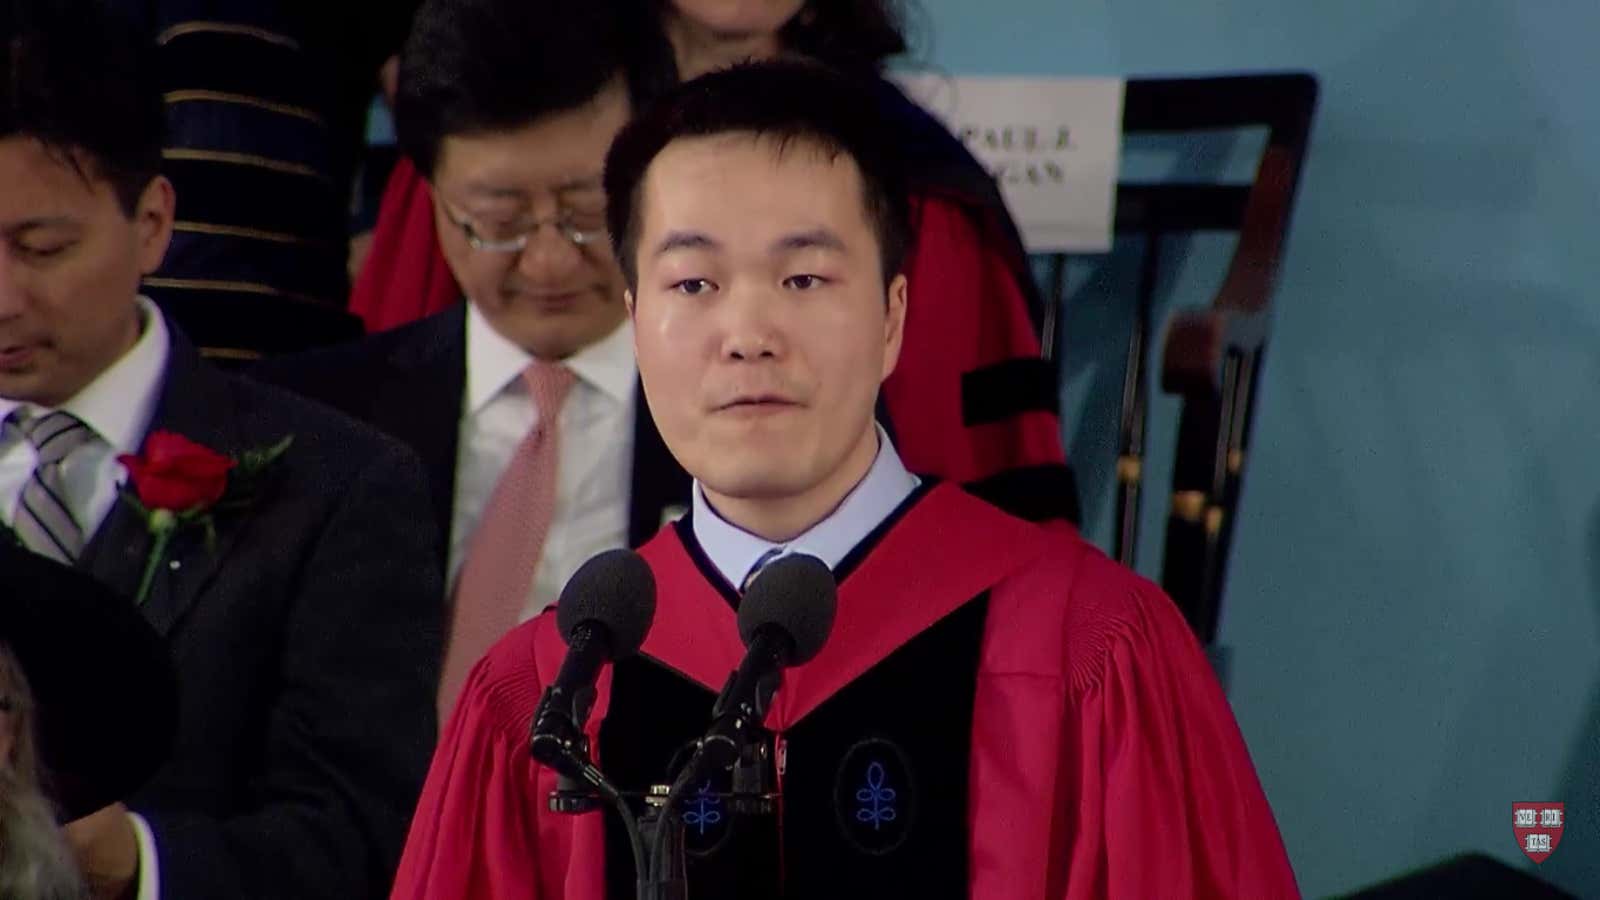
[[306, 648]]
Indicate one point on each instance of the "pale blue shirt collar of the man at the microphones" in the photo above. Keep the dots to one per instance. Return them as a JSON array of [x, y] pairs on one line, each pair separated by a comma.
[[734, 550]]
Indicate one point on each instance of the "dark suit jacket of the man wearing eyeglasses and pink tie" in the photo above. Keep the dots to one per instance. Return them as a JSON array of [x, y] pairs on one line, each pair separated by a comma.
[[412, 384]]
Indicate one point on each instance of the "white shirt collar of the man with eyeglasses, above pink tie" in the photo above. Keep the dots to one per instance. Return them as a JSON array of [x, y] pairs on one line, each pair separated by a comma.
[[494, 363]]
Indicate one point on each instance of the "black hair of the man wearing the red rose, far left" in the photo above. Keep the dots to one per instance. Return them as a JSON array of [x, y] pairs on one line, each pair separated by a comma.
[[79, 78]]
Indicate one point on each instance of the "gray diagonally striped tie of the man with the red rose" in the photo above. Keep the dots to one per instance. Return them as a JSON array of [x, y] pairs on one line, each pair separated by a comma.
[[44, 520]]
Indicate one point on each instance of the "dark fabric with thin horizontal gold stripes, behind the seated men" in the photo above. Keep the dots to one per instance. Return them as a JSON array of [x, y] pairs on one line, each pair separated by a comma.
[[258, 257]]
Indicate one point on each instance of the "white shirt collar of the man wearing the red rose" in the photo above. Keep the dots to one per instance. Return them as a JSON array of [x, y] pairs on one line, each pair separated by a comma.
[[121, 403]]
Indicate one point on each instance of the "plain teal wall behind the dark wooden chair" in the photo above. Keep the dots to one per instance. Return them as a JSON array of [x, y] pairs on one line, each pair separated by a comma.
[[1415, 603]]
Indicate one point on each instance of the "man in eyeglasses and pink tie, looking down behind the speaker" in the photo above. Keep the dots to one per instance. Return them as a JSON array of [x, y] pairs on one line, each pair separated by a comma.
[[524, 401]]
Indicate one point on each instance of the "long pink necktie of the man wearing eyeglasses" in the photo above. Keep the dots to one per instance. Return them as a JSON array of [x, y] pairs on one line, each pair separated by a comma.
[[505, 550]]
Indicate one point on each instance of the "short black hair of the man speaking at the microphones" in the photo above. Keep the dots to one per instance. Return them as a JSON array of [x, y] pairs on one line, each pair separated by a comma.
[[786, 102]]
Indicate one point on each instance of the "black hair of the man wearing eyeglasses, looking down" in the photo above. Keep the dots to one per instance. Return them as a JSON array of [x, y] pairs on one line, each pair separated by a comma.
[[482, 66]]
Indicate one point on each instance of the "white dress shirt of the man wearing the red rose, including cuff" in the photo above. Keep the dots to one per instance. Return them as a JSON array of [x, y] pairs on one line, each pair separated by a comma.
[[118, 408]]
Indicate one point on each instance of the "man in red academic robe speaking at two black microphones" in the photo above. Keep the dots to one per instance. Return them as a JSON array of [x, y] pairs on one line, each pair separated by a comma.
[[999, 713]]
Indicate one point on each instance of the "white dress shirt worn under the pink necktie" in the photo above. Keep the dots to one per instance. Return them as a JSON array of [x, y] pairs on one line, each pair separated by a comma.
[[594, 468]]
